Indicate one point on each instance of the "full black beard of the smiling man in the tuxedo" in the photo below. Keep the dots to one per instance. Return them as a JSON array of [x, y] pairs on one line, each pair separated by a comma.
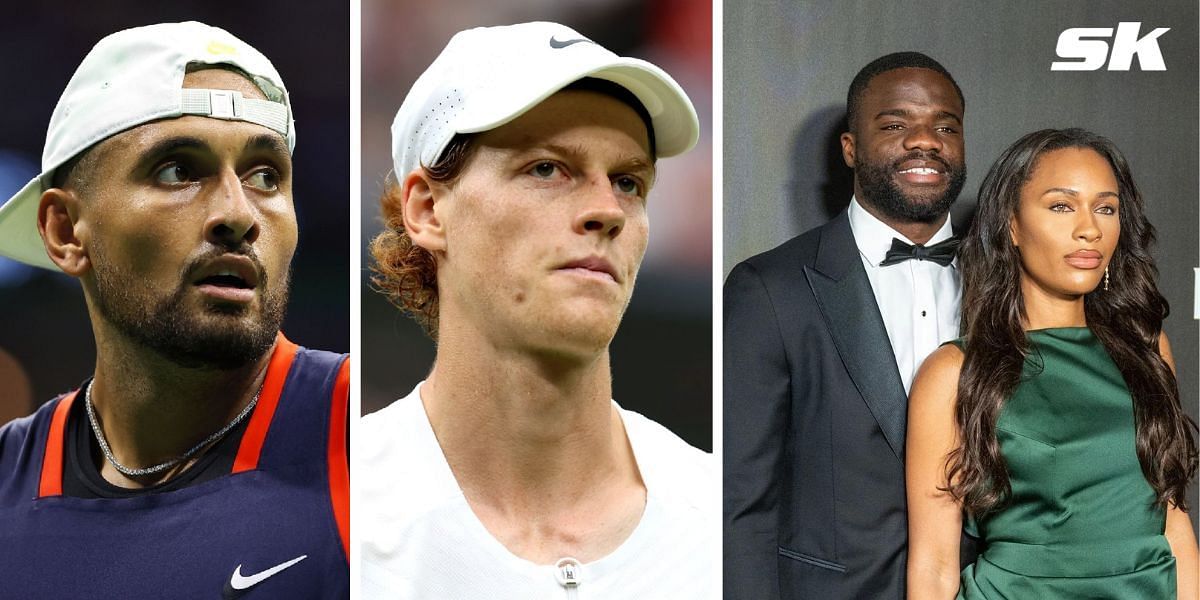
[[881, 191]]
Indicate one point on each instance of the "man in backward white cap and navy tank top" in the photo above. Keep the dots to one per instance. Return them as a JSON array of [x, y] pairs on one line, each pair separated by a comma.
[[207, 457]]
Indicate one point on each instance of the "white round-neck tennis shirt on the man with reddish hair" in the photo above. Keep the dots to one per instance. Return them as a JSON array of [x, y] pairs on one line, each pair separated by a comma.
[[422, 541]]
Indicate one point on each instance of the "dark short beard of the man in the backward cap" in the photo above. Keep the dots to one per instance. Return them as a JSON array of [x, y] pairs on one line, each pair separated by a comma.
[[213, 339]]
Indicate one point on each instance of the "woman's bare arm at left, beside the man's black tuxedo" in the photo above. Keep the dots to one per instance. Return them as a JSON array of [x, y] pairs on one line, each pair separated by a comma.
[[935, 520]]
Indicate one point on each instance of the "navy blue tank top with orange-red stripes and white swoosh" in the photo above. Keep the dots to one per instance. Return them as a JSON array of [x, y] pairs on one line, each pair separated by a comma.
[[278, 526]]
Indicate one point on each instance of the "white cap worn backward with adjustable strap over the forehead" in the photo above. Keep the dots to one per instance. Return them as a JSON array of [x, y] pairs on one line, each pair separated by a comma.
[[130, 79]]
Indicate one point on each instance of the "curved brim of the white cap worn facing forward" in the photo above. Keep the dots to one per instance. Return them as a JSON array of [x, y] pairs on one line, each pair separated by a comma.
[[676, 125]]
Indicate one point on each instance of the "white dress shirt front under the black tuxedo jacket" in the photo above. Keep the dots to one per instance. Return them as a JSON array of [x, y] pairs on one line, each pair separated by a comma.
[[919, 299]]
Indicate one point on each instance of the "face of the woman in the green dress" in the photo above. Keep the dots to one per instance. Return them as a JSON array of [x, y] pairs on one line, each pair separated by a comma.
[[1070, 203]]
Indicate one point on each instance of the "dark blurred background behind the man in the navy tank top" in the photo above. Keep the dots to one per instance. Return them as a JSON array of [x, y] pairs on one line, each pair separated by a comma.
[[46, 344]]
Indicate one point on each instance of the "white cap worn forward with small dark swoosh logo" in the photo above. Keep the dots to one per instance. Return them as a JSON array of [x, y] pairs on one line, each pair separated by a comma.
[[488, 77]]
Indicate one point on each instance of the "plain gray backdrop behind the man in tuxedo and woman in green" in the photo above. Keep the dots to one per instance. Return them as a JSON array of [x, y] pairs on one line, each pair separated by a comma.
[[788, 67]]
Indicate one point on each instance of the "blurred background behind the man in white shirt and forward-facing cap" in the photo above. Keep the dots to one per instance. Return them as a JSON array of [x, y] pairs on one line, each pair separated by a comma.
[[662, 357]]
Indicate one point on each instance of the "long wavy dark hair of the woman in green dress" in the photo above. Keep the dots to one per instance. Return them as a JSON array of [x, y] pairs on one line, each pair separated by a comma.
[[1127, 320]]
